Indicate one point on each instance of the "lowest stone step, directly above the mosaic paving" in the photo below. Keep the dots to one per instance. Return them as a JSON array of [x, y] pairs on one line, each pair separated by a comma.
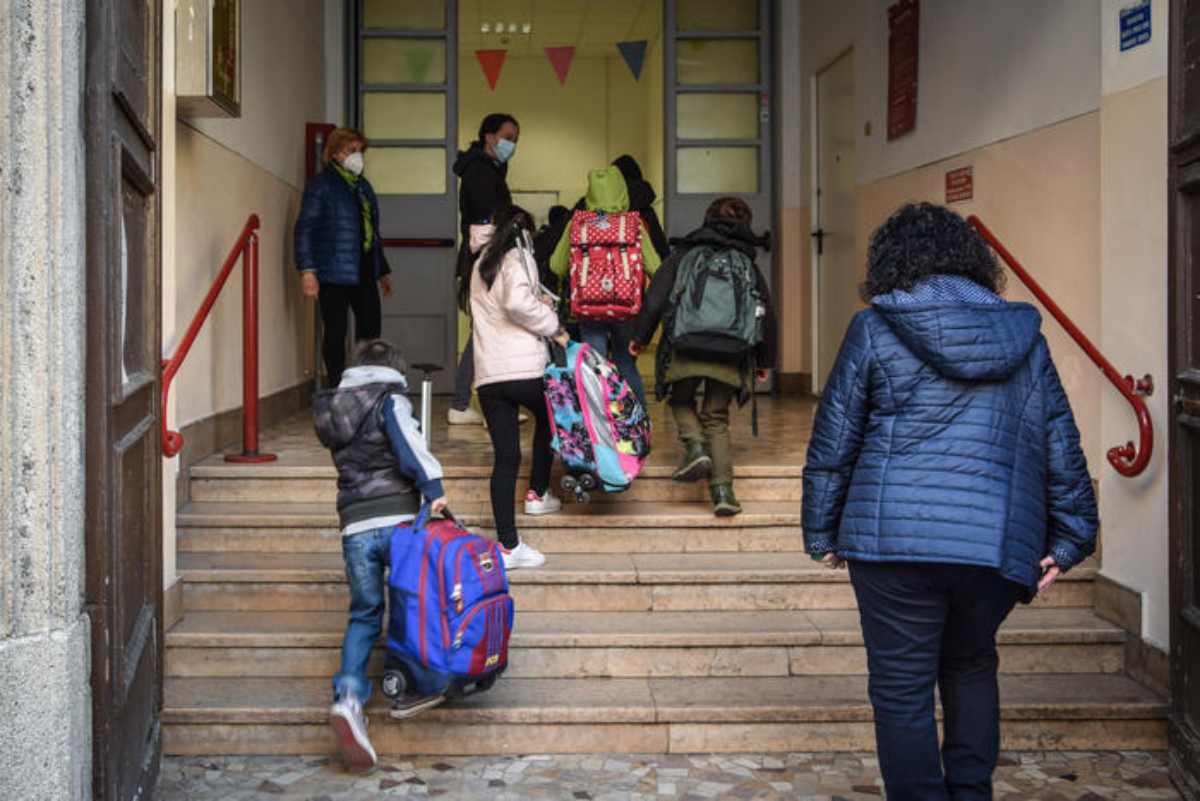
[[795, 714]]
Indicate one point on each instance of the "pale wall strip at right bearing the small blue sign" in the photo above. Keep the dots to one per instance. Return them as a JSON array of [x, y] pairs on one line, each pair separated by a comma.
[[1133, 291]]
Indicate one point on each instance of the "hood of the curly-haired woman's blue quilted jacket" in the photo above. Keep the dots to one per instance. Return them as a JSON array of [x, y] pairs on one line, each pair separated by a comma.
[[961, 329]]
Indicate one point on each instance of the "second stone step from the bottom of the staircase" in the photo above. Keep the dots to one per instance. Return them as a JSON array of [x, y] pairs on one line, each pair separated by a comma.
[[551, 646]]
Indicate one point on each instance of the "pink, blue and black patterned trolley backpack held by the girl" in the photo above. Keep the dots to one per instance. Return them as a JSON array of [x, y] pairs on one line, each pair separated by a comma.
[[601, 430]]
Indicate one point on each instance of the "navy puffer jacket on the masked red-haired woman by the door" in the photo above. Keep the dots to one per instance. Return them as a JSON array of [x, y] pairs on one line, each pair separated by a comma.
[[329, 231]]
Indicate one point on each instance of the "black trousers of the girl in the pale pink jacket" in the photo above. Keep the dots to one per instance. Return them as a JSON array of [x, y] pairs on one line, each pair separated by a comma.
[[501, 403]]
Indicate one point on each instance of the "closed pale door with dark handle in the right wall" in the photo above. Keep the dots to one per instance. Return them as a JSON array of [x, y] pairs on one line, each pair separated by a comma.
[[835, 269]]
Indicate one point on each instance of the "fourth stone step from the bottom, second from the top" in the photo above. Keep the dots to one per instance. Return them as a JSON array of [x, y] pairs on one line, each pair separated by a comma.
[[621, 528]]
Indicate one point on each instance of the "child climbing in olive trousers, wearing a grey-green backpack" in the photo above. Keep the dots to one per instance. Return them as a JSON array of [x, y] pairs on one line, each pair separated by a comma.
[[719, 336]]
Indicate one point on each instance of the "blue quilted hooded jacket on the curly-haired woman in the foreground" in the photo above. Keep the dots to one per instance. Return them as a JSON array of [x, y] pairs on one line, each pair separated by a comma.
[[945, 436]]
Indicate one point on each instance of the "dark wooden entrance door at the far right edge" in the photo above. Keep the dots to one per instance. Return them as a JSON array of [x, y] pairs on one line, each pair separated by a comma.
[[1185, 368]]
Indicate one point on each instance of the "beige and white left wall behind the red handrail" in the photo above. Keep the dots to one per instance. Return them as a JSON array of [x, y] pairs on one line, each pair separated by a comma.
[[215, 174]]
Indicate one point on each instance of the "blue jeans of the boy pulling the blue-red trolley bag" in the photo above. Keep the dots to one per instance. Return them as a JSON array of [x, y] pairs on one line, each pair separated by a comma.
[[367, 556]]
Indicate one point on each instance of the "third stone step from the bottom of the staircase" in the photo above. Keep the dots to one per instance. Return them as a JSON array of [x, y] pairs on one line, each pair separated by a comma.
[[281, 582]]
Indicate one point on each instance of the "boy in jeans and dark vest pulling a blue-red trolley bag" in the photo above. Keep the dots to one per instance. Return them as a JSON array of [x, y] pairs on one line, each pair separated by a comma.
[[385, 471]]
